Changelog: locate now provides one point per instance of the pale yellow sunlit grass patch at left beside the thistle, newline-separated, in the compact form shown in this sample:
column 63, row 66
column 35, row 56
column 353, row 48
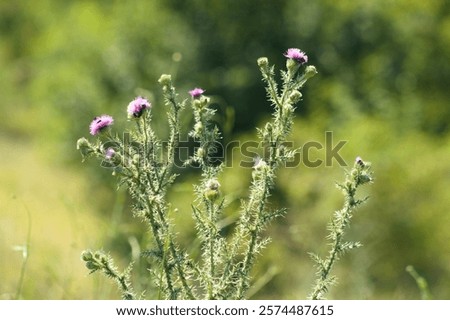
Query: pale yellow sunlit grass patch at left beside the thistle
column 61, row 223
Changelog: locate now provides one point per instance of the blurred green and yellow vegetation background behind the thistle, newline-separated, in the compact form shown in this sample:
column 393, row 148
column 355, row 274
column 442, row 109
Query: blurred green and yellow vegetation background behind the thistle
column 383, row 86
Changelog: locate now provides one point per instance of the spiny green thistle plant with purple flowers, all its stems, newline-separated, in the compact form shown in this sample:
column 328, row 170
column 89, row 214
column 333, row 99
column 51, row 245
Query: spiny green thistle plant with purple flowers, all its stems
column 145, row 166
